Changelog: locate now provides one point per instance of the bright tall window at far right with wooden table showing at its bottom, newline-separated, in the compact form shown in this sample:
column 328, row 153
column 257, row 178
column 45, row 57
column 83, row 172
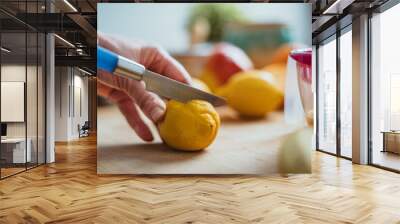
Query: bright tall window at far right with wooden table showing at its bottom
column 385, row 89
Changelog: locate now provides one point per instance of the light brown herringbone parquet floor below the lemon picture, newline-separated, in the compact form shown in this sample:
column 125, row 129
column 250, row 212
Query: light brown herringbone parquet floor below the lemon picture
column 69, row 191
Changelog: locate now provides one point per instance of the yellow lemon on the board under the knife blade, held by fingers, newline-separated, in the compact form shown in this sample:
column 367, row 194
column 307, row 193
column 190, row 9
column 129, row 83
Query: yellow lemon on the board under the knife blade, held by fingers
column 189, row 126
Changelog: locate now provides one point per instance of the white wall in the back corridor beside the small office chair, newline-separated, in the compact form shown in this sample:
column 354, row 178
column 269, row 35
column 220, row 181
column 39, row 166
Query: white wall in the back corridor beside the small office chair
column 69, row 81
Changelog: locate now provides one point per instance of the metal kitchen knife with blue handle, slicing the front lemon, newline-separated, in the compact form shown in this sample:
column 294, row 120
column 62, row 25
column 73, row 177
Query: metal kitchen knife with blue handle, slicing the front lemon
column 159, row 84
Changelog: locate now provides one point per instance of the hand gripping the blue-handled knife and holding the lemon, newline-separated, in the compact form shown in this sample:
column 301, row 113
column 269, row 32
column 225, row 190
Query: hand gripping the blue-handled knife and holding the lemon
column 130, row 95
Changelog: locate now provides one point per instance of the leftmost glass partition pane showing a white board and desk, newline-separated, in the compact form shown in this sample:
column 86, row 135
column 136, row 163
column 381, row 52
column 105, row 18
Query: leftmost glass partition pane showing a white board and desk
column 14, row 151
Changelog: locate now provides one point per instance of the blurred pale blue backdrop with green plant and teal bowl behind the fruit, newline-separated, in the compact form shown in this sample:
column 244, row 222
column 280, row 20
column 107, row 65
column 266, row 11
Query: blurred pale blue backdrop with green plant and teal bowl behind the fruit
column 190, row 30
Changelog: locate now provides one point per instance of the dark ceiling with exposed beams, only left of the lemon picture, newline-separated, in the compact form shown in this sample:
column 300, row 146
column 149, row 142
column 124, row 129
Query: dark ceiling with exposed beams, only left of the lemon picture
column 74, row 21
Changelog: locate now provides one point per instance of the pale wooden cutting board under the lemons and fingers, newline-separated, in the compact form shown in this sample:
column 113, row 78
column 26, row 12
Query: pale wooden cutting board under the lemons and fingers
column 241, row 147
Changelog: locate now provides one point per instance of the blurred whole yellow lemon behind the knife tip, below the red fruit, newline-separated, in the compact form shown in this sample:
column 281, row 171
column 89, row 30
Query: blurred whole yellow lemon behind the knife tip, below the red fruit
column 252, row 93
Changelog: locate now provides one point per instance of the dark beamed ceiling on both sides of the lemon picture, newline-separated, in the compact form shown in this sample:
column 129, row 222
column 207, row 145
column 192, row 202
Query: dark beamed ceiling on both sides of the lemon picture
column 76, row 21
